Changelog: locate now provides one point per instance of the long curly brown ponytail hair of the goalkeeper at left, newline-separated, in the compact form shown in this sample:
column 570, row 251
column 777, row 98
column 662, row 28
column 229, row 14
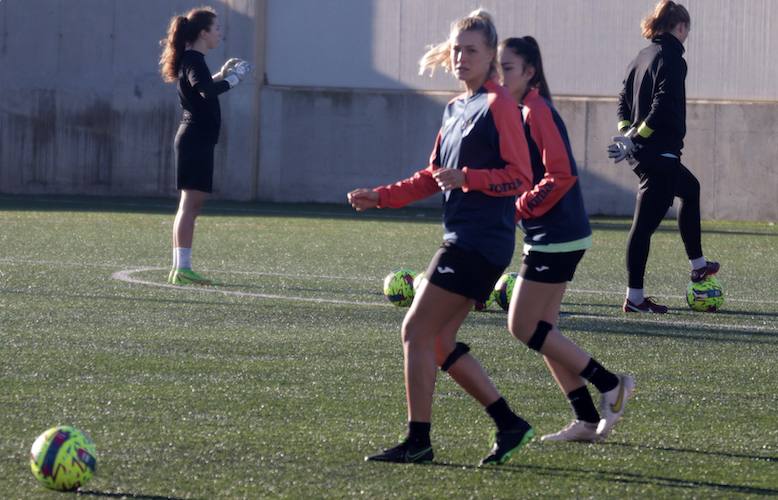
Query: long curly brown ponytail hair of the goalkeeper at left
column 182, row 30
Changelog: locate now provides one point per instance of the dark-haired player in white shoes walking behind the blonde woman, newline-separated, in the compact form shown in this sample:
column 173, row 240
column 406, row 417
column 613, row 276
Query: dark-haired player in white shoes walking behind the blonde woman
column 557, row 234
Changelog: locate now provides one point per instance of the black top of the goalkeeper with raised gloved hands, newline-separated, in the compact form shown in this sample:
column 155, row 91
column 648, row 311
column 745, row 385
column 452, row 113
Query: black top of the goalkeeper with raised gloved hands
column 199, row 95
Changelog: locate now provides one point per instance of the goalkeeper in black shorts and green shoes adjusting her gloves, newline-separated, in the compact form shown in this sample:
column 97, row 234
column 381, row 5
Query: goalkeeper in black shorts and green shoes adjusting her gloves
column 189, row 38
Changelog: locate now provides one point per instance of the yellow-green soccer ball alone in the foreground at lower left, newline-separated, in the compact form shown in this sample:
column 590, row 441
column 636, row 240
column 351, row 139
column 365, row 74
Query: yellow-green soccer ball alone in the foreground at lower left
column 63, row 458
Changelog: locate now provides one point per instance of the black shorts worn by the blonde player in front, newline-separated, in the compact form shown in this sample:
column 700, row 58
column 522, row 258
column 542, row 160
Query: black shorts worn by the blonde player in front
column 462, row 272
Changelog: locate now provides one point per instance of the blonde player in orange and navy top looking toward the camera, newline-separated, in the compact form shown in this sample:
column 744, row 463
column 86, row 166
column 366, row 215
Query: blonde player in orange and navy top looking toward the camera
column 480, row 162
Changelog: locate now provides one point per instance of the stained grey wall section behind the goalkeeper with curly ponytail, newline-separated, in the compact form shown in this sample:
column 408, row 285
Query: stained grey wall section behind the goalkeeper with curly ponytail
column 84, row 110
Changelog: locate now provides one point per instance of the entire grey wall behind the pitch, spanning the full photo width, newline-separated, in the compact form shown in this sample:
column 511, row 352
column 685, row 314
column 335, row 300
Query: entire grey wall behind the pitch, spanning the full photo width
column 336, row 102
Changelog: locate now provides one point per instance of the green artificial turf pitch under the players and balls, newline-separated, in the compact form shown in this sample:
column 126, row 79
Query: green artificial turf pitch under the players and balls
column 277, row 382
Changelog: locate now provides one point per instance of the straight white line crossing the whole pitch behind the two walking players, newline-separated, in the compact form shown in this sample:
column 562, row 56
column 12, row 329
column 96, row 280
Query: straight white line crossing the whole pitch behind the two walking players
column 330, row 277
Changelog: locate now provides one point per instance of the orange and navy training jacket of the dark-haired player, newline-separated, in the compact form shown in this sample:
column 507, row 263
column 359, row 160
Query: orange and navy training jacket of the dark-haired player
column 551, row 213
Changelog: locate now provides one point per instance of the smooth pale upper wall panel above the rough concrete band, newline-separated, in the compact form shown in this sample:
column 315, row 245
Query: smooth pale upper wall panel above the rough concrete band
column 376, row 44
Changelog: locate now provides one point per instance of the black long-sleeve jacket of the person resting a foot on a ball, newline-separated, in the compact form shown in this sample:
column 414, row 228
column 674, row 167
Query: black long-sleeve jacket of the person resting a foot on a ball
column 653, row 98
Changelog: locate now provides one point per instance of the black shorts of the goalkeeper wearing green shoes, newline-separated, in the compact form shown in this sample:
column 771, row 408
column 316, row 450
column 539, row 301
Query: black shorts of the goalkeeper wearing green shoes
column 194, row 159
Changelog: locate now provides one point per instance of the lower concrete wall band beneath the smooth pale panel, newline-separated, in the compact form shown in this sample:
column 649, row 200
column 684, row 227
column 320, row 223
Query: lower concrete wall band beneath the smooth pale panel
column 318, row 144
